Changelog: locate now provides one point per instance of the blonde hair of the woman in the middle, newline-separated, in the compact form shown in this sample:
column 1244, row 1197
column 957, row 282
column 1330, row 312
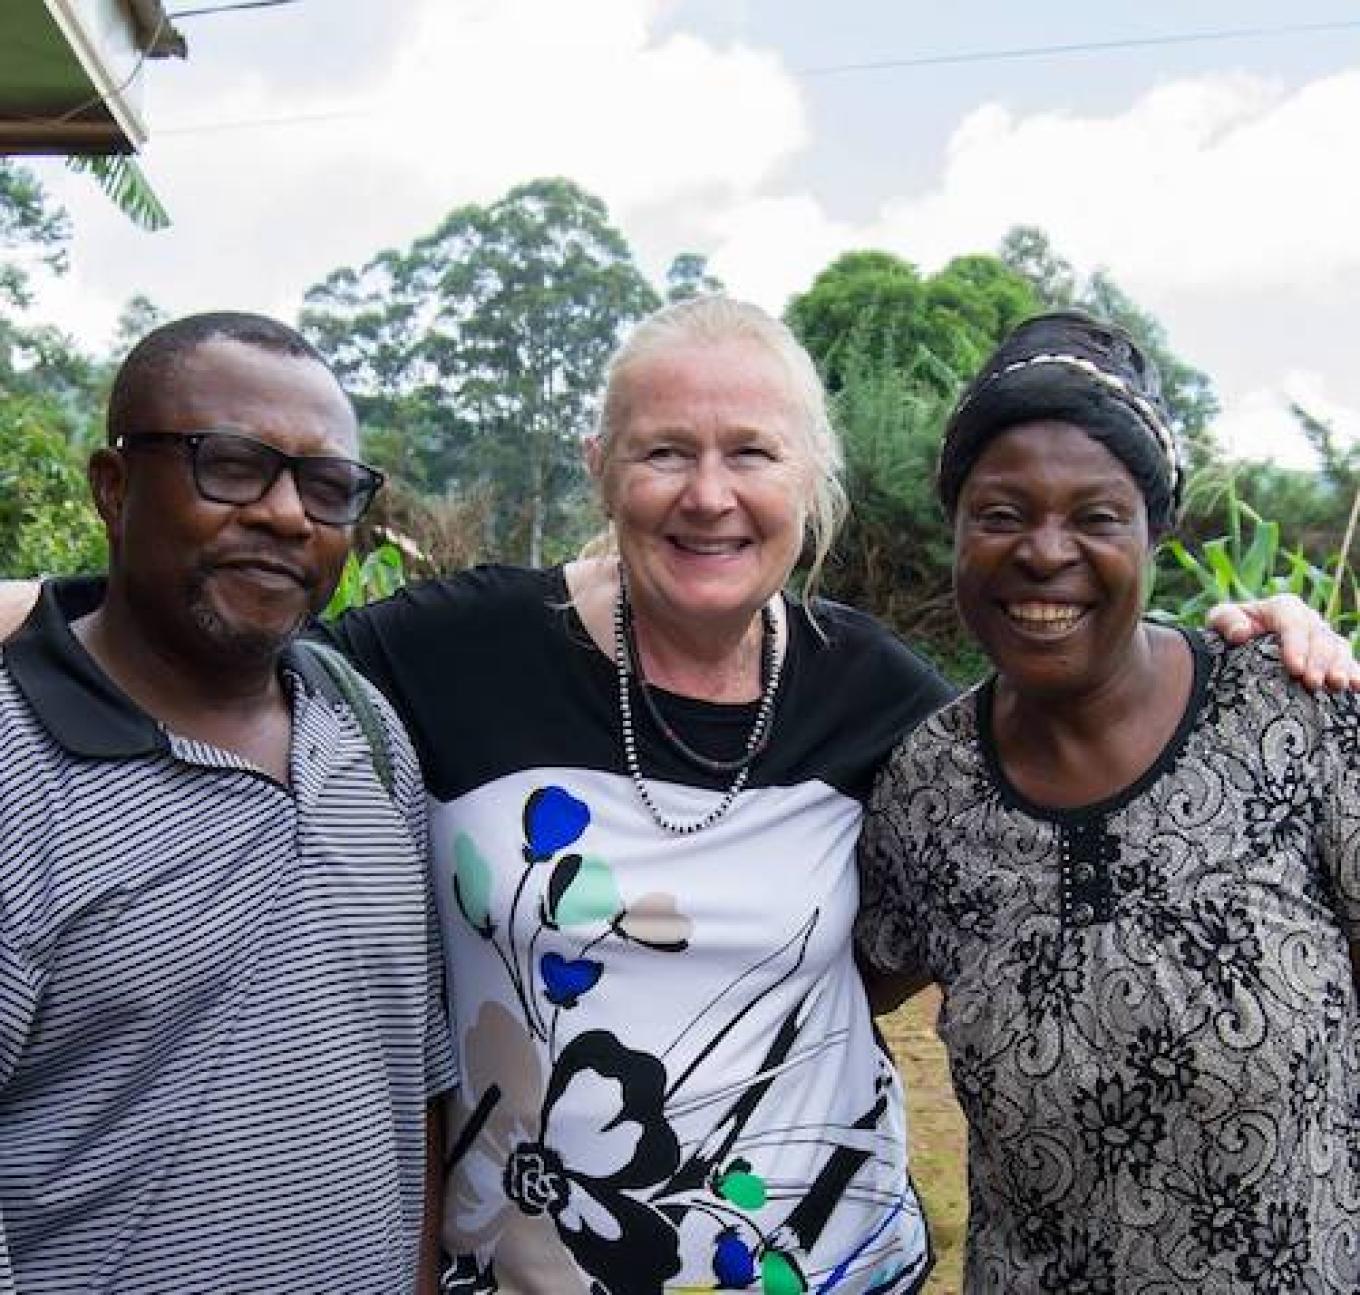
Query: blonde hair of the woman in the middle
column 713, row 322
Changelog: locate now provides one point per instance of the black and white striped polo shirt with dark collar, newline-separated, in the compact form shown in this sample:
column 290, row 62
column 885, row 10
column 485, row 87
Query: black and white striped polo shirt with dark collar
column 221, row 1014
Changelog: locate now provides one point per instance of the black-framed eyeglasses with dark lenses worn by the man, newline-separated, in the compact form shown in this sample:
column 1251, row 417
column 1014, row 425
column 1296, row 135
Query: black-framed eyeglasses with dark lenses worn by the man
column 231, row 467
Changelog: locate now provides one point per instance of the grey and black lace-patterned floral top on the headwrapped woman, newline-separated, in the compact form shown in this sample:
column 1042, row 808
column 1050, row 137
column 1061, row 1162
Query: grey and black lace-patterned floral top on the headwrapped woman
column 1149, row 1003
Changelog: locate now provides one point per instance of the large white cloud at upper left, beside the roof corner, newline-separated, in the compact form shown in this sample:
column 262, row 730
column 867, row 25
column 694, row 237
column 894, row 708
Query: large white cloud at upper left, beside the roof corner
column 479, row 96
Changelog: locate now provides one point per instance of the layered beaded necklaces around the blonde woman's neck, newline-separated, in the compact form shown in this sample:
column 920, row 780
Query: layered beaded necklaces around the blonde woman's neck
column 629, row 663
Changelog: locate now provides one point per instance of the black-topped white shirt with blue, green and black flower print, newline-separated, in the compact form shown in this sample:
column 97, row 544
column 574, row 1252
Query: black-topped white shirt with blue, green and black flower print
column 670, row 1079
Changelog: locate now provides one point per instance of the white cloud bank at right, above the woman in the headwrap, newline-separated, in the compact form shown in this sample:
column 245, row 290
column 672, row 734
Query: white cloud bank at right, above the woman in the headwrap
column 1225, row 205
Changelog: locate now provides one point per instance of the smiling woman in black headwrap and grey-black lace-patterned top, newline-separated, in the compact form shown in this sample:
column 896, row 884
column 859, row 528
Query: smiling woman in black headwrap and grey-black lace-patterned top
column 1132, row 862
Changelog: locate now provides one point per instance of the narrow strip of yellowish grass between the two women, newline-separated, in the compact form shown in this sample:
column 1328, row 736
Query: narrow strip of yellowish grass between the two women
column 938, row 1135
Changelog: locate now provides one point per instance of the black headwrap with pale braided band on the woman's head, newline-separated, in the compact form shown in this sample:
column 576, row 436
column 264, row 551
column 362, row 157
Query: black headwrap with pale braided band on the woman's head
column 1067, row 367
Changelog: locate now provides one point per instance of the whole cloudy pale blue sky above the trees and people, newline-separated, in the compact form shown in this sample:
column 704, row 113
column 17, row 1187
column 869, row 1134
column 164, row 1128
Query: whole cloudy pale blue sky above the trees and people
column 1218, row 180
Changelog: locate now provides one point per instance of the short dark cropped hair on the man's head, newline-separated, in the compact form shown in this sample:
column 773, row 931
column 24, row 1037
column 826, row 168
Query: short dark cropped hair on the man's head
column 156, row 357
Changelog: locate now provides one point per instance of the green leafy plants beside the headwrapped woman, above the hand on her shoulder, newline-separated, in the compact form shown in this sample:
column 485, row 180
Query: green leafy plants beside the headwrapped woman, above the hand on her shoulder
column 1251, row 561
